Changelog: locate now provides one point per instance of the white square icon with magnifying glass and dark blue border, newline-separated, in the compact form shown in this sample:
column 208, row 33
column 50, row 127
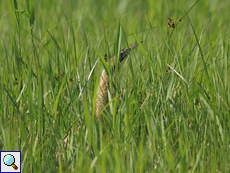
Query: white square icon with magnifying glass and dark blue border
column 10, row 161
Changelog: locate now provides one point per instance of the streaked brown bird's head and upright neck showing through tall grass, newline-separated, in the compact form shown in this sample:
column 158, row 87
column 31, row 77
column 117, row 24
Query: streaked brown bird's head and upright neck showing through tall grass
column 102, row 94
